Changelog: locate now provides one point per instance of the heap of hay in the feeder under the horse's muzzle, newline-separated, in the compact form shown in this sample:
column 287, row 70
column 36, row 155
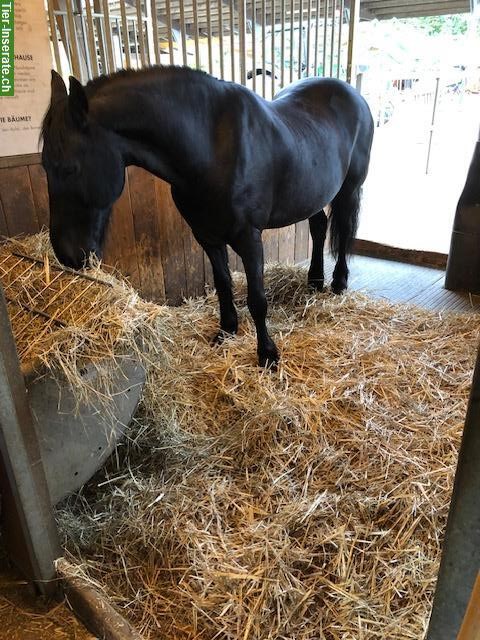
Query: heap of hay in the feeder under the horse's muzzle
column 63, row 320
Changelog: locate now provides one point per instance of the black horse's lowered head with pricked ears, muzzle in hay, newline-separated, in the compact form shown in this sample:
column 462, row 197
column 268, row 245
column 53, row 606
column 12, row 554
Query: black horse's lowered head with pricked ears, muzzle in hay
column 85, row 172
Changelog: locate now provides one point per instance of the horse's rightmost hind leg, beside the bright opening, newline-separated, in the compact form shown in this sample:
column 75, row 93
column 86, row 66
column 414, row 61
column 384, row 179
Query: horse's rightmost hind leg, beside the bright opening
column 344, row 221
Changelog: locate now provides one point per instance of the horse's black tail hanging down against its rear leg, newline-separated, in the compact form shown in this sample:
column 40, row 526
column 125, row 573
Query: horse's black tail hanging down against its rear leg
column 344, row 215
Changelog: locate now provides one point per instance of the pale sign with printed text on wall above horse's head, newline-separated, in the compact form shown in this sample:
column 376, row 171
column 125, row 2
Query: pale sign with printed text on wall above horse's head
column 21, row 115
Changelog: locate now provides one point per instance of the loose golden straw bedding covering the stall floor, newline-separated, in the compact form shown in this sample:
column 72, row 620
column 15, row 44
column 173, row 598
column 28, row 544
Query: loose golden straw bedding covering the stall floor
column 304, row 504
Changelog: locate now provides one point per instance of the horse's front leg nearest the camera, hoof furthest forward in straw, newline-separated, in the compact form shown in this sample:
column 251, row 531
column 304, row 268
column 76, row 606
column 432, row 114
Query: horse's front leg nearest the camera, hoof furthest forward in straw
column 249, row 247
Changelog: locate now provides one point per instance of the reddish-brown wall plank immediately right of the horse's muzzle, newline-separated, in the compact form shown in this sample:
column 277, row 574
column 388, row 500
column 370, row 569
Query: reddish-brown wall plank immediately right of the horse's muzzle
column 120, row 248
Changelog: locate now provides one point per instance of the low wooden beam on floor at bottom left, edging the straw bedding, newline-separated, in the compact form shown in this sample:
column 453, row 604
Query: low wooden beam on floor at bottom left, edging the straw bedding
column 93, row 608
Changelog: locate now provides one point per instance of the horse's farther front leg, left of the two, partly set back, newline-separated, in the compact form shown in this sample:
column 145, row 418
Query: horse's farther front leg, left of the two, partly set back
column 223, row 284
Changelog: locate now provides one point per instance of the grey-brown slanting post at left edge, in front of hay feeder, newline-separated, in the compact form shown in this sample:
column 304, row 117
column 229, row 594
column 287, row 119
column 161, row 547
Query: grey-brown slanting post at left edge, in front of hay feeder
column 29, row 527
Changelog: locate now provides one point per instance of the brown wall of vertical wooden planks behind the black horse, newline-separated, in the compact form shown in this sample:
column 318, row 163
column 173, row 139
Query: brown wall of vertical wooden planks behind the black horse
column 148, row 240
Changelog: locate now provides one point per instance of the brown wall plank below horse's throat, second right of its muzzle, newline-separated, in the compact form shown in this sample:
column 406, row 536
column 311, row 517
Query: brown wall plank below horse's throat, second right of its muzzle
column 147, row 225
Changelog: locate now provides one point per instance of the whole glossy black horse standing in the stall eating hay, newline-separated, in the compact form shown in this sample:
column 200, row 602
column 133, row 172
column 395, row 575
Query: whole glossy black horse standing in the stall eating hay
column 236, row 163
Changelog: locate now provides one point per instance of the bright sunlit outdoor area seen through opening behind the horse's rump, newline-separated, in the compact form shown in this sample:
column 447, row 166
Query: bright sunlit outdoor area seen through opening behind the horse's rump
column 415, row 71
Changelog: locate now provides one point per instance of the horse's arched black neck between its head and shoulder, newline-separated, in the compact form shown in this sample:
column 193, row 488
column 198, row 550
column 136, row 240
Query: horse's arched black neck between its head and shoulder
column 163, row 124
